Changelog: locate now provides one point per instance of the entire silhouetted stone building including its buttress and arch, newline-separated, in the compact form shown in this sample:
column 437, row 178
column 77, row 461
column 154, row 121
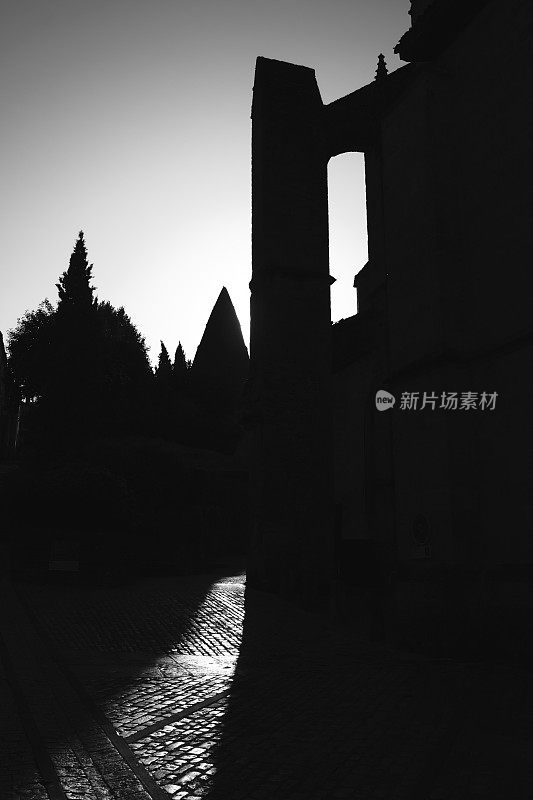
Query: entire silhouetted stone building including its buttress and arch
column 429, row 507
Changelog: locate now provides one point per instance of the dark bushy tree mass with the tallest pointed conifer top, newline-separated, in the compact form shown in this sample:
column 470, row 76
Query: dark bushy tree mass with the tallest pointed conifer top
column 83, row 362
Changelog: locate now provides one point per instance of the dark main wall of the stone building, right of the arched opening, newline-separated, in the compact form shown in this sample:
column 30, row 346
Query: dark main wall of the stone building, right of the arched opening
column 457, row 167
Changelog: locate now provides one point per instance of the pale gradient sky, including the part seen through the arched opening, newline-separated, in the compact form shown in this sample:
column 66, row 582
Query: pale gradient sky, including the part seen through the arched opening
column 130, row 119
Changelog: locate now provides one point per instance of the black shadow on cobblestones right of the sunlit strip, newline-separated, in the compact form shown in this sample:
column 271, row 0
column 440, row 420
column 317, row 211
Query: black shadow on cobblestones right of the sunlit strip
column 313, row 714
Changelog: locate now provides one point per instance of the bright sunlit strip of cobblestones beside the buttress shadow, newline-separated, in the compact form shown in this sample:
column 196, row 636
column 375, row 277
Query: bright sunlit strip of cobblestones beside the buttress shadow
column 179, row 750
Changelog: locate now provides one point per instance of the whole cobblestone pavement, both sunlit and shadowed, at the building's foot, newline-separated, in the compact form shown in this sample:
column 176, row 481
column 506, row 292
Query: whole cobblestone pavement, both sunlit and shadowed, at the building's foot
column 167, row 689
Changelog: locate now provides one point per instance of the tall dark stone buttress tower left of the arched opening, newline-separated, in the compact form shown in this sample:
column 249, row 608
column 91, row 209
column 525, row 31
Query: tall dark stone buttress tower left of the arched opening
column 290, row 337
